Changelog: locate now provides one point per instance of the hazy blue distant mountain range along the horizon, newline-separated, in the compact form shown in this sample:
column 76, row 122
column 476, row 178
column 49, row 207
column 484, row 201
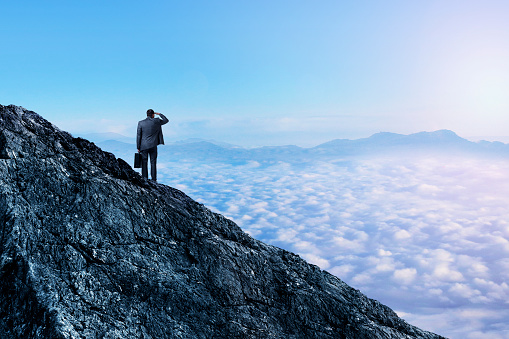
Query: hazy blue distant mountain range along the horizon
column 441, row 141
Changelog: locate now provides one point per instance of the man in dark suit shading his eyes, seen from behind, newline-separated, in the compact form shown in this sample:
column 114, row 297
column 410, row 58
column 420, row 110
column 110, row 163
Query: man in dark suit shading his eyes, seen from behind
column 150, row 134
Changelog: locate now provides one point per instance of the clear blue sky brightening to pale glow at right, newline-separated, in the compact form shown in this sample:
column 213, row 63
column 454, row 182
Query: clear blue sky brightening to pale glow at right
column 260, row 72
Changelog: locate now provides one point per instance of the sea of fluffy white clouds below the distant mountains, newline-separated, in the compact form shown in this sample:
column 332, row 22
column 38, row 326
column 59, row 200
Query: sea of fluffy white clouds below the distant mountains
column 426, row 235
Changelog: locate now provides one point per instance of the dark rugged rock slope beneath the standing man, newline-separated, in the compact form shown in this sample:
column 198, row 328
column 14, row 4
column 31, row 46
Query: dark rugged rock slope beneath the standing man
column 90, row 249
